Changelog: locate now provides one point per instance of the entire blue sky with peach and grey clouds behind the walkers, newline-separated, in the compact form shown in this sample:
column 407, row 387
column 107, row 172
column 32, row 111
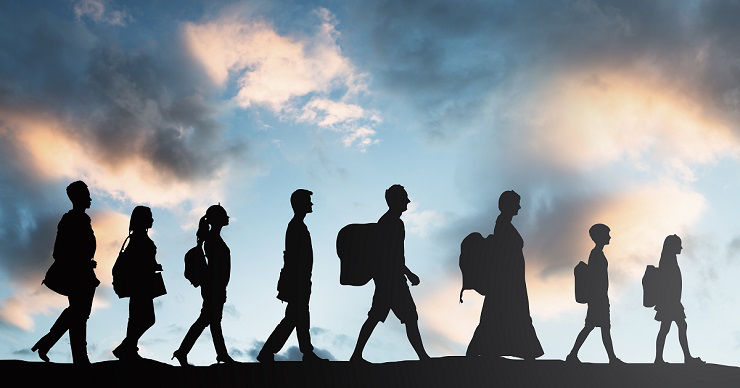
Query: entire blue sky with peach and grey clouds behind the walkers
column 624, row 113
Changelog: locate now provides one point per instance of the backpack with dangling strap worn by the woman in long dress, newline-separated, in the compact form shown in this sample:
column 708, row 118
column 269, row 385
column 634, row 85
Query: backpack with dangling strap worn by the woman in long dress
column 475, row 262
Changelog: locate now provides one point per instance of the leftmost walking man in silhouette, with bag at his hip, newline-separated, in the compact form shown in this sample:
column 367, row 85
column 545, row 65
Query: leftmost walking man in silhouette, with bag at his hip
column 72, row 274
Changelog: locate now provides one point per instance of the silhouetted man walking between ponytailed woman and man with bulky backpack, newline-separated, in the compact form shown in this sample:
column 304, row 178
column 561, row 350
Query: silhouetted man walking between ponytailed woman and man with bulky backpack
column 294, row 284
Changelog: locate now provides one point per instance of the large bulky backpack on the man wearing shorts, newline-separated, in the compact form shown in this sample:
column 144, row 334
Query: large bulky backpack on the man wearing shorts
column 357, row 248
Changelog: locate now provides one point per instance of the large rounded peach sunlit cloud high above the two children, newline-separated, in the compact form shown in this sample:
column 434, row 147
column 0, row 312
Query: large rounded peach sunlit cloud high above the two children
column 592, row 119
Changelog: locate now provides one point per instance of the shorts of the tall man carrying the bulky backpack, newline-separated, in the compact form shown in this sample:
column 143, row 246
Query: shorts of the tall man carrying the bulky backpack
column 395, row 296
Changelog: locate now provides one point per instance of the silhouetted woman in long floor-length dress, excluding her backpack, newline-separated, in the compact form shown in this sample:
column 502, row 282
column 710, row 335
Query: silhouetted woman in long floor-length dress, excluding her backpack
column 505, row 327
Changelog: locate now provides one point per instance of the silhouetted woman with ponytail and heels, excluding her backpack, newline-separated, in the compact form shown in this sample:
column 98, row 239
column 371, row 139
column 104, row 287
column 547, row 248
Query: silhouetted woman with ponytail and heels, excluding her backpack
column 213, row 289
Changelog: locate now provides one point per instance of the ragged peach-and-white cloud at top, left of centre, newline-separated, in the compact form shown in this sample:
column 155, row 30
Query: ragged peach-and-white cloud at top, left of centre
column 303, row 78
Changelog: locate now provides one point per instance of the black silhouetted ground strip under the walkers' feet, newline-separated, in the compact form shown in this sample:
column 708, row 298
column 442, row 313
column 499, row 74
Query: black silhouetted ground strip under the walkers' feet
column 440, row 372
